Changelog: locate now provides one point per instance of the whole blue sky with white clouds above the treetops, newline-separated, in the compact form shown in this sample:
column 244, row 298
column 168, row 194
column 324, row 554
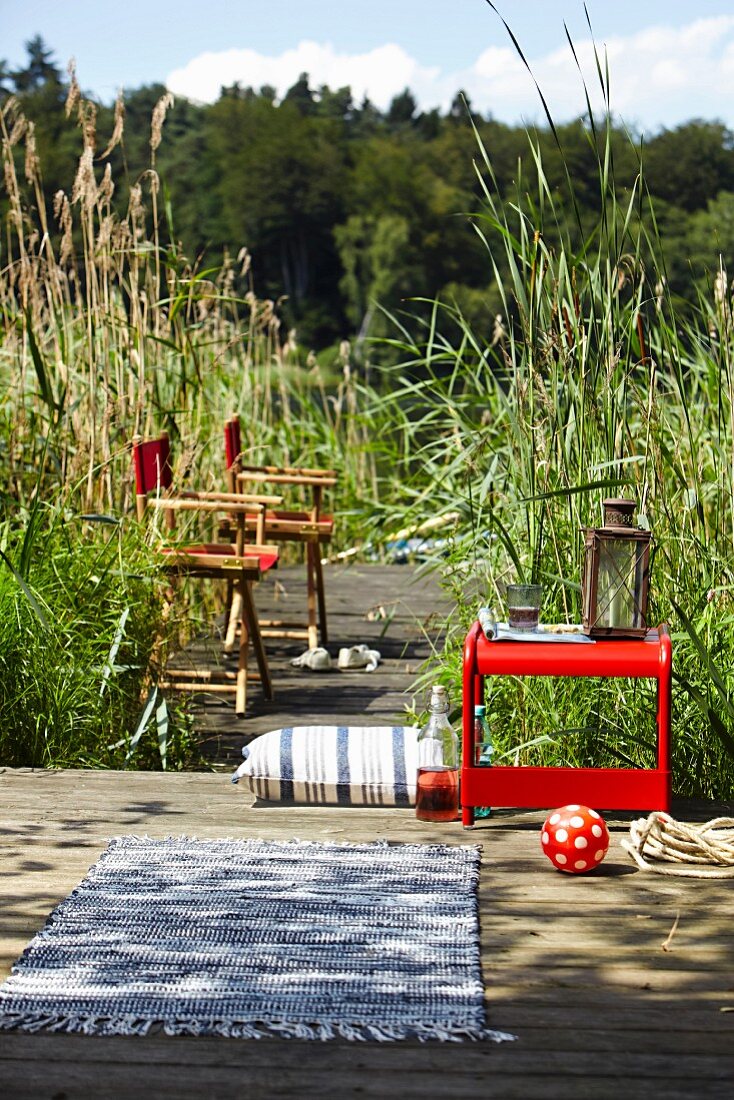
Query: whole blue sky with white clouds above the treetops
column 670, row 61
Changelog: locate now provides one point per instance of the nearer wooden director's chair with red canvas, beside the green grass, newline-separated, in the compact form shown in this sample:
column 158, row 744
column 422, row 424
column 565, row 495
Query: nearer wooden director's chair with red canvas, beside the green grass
column 239, row 564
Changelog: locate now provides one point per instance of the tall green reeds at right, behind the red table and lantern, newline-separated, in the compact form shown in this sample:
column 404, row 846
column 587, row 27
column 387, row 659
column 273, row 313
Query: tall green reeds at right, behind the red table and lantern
column 589, row 387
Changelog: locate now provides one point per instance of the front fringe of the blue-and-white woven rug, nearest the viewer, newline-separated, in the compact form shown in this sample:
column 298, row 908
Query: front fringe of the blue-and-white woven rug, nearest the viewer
column 249, row 1030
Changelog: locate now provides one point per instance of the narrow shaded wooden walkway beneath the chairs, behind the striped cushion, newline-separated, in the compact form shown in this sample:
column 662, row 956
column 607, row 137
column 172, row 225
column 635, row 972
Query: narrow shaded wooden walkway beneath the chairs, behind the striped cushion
column 395, row 609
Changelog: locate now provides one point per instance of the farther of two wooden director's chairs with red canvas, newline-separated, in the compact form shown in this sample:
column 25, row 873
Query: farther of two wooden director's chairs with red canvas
column 311, row 529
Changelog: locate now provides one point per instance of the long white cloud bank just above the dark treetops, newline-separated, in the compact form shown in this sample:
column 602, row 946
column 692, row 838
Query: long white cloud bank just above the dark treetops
column 661, row 75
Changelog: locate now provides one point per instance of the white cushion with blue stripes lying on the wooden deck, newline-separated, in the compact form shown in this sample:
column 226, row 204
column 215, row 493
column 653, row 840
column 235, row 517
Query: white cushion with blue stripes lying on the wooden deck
column 368, row 766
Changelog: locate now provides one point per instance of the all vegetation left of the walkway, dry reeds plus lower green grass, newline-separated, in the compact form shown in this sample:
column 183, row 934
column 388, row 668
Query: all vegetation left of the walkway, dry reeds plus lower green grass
column 107, row 332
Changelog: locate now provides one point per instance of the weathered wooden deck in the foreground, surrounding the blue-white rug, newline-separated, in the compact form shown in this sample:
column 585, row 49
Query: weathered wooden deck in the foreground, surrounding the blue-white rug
column 576, row 967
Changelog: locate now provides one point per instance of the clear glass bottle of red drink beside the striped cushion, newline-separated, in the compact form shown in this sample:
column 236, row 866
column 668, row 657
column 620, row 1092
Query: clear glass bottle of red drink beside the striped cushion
column 437, row 794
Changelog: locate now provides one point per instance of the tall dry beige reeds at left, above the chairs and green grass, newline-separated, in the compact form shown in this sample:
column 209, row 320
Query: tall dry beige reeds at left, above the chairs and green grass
column 111, row 332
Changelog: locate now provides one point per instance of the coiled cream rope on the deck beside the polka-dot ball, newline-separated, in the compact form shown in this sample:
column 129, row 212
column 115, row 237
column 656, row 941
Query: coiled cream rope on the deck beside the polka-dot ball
column 703, row 852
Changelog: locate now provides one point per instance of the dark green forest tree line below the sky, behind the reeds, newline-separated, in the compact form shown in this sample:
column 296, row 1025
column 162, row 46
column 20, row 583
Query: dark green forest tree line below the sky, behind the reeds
column 348, row 211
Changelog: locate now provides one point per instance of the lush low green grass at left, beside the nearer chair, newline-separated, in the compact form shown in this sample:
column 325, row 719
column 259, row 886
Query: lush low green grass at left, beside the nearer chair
column 81, row 611
